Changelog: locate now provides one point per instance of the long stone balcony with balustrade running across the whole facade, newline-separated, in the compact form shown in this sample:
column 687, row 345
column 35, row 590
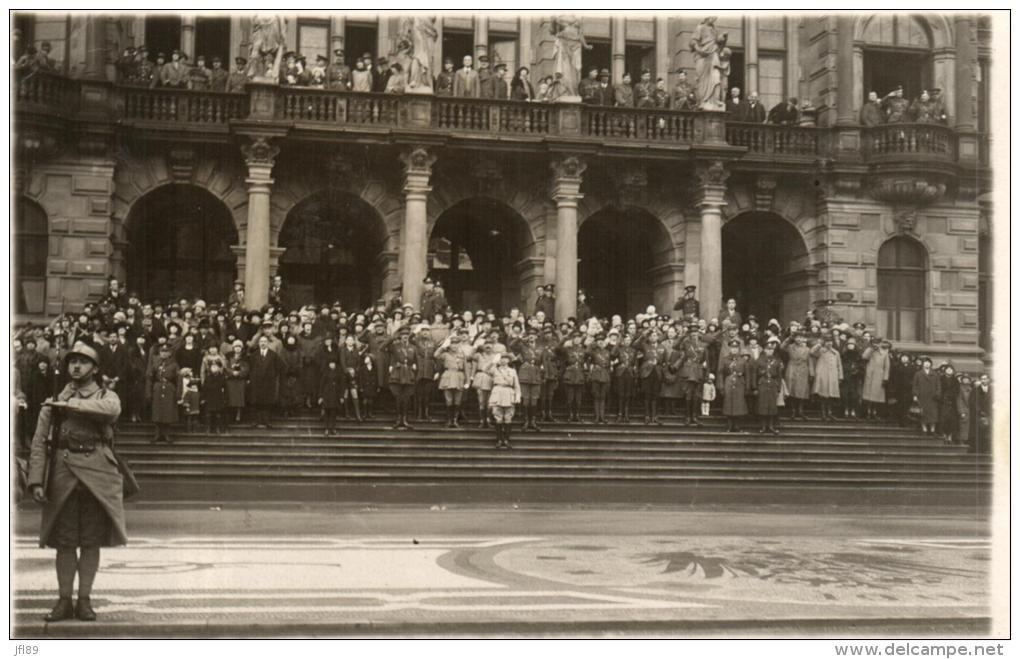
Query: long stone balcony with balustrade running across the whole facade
column 302, row 115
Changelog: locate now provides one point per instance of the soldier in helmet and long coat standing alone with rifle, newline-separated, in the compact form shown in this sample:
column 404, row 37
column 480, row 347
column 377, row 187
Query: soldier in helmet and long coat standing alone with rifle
column 78, row 481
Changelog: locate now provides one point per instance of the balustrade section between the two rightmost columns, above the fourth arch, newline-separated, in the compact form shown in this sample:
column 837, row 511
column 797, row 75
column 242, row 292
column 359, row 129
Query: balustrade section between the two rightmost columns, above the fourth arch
column 644, row 125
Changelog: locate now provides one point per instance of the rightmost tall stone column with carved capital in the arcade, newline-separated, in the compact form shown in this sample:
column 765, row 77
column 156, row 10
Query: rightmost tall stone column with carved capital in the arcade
column 711, row 198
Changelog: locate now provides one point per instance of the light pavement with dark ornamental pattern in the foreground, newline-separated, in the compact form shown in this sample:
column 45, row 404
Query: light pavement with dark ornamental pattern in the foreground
column 328, row 586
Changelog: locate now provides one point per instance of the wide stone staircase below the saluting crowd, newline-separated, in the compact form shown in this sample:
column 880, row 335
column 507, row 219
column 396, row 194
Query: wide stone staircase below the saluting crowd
column 808, row 463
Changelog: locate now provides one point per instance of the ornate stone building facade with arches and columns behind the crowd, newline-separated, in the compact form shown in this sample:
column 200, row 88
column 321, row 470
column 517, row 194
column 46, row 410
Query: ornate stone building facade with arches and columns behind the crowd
column 347, row 195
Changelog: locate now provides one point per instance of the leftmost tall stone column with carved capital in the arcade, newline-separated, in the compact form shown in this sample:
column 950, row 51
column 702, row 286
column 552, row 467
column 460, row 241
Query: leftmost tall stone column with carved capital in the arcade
column 260, row 156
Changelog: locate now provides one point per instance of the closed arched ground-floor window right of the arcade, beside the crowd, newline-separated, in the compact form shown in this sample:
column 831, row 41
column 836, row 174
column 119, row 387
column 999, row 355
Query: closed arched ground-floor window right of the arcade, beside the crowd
column 902, row 269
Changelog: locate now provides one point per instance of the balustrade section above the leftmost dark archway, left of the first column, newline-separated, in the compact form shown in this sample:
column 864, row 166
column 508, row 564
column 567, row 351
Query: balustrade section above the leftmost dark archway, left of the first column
column 183, row 107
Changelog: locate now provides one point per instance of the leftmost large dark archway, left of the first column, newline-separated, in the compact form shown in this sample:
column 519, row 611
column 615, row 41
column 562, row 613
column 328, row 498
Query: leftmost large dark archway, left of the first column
column 180, row 238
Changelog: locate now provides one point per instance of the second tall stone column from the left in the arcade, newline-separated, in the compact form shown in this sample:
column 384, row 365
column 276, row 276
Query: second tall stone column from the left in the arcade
column 415, row 236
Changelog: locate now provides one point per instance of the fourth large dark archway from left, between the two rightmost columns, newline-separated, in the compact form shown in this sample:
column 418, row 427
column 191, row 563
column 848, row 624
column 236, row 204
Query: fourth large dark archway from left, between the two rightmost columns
column 619, row 251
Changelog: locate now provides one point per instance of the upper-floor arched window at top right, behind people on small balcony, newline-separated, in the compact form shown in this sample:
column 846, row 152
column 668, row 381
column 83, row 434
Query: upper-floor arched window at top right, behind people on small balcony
column 897, row 52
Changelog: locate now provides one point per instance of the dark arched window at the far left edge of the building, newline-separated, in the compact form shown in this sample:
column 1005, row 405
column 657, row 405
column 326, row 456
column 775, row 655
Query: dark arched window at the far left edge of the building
column 31, row 249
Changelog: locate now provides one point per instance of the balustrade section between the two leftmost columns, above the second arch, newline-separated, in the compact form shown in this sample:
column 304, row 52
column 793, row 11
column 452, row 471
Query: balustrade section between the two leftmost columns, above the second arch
column 338, row 108
